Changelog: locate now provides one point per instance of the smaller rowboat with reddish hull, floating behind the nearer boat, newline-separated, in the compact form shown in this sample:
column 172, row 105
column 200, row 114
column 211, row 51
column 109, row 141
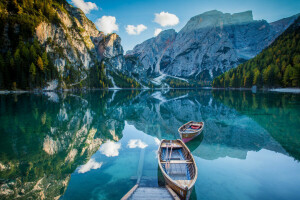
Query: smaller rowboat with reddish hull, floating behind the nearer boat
column 190, row 130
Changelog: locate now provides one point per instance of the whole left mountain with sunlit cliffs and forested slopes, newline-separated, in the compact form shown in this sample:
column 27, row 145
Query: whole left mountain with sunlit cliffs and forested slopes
column 51, row 44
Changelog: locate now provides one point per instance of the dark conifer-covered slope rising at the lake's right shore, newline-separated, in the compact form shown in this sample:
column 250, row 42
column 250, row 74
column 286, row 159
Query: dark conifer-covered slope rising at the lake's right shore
column 276, row 66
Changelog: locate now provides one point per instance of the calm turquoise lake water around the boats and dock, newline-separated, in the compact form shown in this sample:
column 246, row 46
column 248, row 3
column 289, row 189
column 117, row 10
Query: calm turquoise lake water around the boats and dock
column 89, row 145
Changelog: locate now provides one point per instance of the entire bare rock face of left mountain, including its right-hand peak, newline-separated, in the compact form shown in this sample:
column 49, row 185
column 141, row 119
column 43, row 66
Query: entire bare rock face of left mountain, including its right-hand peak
column 77, row 42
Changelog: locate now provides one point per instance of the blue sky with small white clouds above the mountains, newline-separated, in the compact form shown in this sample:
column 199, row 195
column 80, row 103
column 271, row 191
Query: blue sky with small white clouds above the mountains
column 138, row 20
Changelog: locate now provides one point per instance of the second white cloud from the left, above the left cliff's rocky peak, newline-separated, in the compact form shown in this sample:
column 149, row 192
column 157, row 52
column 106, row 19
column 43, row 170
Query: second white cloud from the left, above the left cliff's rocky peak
column 107, row 24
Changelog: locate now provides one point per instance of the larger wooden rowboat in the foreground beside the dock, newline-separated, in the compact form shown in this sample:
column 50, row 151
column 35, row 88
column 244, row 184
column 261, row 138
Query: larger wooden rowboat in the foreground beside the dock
column 178, row 167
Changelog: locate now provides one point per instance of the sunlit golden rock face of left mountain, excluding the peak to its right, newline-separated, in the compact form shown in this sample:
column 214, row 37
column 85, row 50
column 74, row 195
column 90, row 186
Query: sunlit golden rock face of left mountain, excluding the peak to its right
column 73, row 43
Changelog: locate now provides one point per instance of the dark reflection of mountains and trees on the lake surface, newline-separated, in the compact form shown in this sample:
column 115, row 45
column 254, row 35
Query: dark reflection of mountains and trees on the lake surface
column 44, row 138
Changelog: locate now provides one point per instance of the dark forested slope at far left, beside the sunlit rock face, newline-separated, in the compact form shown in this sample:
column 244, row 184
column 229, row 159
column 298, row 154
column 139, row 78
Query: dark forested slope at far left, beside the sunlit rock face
column 24, row 63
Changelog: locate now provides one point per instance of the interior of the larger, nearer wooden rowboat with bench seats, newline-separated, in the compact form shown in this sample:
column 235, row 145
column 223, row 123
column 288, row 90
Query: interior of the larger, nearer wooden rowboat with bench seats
column 176, row 161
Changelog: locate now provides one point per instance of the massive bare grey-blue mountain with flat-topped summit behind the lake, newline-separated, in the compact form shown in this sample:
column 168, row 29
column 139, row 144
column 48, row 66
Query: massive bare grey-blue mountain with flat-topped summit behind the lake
column 208, row 45
